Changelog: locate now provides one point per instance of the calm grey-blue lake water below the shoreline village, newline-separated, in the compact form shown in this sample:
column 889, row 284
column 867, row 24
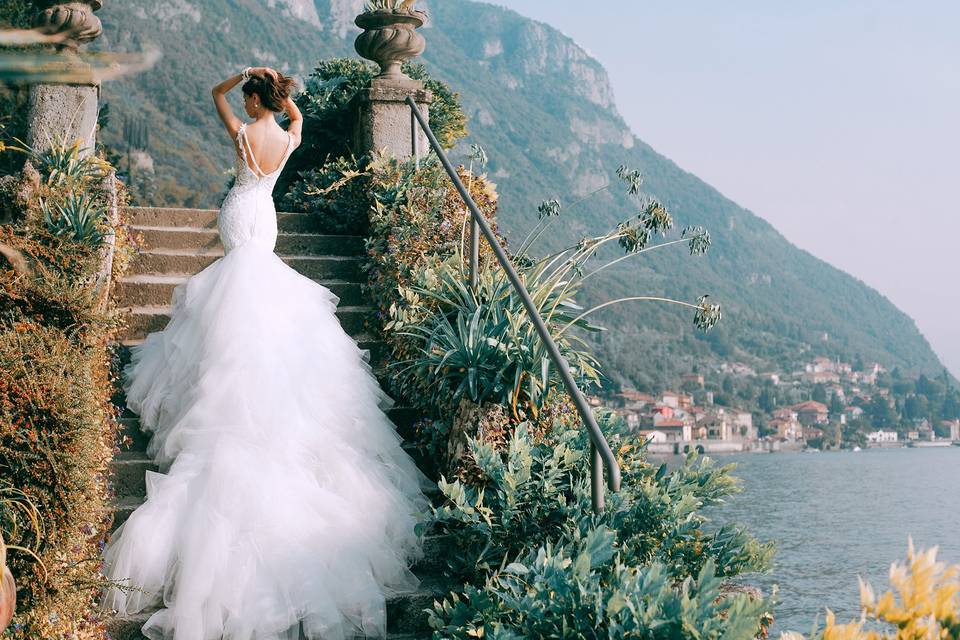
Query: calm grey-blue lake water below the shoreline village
column 838, row 515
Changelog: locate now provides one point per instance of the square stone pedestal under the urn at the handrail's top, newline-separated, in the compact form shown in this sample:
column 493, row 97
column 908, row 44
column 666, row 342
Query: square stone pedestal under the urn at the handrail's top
column 384, row 120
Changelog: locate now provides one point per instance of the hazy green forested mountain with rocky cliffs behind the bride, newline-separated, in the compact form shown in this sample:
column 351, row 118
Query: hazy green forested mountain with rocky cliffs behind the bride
column 544, row 111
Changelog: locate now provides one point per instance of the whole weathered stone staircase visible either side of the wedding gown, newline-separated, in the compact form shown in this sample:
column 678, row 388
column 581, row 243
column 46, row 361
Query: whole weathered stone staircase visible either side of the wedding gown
column 180, row 242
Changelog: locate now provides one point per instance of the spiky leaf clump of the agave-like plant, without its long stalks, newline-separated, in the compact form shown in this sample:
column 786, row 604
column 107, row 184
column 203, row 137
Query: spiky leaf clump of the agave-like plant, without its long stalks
column 478, row 343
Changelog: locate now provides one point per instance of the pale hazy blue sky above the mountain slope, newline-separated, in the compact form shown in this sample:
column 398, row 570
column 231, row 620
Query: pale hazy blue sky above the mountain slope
column 837, row 121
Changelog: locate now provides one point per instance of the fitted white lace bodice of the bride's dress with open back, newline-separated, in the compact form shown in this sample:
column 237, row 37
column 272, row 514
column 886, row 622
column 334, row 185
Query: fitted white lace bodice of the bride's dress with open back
column 248, row 213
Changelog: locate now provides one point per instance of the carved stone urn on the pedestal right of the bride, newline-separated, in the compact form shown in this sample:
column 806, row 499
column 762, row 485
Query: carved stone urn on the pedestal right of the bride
column 390, row 38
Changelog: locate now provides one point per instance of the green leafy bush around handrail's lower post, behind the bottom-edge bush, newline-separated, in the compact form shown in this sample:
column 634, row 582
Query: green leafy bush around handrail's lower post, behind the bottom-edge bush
column 538, row 492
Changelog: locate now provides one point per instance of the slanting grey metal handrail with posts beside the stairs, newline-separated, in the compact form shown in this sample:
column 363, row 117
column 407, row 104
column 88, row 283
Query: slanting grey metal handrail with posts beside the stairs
column 601, row 455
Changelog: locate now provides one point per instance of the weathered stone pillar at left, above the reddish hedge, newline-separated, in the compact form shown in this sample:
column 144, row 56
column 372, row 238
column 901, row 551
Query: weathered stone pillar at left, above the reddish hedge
column 63, row 113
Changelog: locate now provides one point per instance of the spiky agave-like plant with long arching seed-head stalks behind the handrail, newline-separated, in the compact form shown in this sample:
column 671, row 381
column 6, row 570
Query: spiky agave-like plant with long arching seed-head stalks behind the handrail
column 477, row 342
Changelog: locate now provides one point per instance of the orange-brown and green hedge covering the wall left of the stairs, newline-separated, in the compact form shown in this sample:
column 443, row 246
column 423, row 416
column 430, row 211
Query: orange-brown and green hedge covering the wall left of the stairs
column 57, row 427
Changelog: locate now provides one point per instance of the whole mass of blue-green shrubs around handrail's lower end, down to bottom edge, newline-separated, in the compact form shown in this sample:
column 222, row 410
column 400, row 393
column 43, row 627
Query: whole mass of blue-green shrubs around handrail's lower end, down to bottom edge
column 547, row 563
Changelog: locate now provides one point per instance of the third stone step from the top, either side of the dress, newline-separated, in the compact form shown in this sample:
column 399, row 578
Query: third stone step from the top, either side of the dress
column 191, row 261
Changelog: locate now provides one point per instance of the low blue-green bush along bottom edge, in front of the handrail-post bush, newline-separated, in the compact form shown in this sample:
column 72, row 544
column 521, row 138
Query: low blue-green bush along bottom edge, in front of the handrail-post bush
column 584, row 591
